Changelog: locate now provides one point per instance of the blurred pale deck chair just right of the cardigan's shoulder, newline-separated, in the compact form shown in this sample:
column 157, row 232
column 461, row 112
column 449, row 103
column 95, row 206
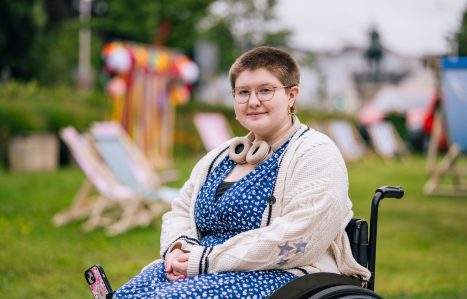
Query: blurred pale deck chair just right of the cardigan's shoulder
column 347, row 139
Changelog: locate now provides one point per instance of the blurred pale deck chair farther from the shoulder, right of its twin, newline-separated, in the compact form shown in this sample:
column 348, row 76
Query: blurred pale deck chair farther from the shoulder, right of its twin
column 386, row 141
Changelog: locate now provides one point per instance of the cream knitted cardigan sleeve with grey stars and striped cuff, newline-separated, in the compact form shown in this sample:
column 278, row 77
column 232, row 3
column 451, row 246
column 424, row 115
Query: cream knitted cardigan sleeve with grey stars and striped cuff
column 315, row 205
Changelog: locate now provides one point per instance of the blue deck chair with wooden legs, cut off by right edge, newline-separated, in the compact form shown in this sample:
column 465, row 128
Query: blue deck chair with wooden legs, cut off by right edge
column 453, row 77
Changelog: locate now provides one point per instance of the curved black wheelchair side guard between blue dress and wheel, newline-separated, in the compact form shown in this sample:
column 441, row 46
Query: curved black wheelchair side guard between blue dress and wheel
column 308, row 285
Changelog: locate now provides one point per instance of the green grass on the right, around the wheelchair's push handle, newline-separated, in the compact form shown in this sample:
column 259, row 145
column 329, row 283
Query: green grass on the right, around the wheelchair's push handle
column 421, row 240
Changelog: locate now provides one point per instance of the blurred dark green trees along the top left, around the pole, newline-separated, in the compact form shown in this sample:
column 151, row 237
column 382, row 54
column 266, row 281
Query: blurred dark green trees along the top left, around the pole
column 39, row 38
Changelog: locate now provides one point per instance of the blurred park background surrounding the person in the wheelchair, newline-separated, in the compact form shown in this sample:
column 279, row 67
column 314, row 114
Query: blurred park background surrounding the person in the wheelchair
column 376, row 78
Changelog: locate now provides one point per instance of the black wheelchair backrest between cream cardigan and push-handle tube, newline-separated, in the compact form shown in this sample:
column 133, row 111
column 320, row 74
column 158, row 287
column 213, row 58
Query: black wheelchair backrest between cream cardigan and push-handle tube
column 357, row 231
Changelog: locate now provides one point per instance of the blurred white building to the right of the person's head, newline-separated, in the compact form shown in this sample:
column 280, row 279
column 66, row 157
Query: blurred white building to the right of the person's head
column 350, row 83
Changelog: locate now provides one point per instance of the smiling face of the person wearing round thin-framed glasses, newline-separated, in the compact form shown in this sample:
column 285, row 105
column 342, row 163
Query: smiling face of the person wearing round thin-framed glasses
column 264, row 118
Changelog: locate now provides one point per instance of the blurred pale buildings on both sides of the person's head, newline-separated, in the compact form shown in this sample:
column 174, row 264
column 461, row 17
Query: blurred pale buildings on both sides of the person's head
column 335, row 81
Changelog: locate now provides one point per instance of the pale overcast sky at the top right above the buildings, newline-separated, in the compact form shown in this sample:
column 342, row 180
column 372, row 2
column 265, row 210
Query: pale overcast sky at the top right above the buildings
column 408, row 27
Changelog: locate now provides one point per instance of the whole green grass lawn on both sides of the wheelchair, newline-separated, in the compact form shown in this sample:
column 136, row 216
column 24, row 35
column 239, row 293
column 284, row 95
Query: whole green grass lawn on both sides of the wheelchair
column 422, row 241
